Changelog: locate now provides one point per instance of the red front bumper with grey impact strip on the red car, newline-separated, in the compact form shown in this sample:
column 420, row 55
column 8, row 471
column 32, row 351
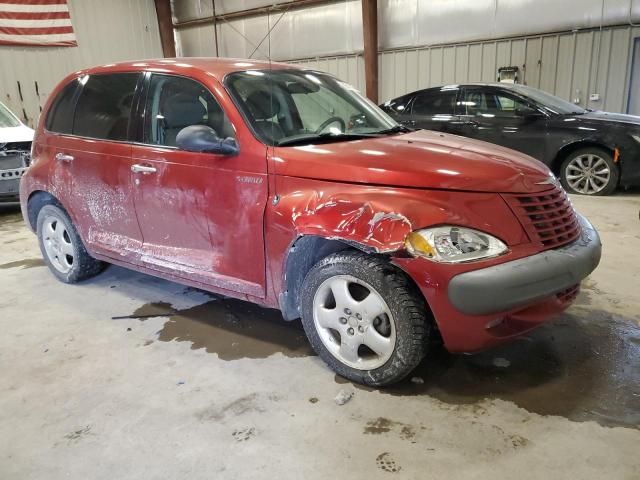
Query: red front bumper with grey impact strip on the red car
column 477, row 307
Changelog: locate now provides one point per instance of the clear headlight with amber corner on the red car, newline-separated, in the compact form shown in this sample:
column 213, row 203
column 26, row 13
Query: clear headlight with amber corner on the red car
column 451, row 244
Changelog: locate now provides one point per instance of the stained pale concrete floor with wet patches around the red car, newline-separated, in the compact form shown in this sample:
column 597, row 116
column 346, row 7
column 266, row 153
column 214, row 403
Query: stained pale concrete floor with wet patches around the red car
column 127, row 376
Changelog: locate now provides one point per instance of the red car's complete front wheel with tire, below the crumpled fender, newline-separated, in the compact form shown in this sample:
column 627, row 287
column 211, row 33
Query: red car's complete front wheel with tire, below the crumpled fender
column 337, row 332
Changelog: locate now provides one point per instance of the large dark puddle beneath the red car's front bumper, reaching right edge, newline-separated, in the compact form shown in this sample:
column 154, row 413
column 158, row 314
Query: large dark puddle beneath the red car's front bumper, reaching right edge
column 584, row 366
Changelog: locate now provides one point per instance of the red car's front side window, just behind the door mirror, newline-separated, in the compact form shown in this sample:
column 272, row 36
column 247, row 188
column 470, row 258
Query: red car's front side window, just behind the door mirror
column 174, row 103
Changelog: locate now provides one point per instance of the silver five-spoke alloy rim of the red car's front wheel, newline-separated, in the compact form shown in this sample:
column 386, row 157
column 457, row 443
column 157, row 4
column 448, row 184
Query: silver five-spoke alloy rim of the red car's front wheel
column 354, row 322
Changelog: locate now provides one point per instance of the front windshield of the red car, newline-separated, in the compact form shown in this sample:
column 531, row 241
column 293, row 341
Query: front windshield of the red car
column 287, row 107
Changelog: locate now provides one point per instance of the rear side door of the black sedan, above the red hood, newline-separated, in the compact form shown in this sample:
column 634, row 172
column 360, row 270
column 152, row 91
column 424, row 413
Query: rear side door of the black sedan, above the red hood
column 434, row 109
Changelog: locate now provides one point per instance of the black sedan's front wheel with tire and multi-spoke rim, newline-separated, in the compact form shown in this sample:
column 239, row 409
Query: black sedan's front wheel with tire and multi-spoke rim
column 579, row 172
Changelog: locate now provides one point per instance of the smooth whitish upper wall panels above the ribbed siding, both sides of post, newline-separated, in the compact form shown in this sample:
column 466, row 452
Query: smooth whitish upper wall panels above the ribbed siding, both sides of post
column 335, row 28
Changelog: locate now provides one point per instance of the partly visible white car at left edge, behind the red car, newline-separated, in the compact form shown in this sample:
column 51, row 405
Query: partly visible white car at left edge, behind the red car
column 15, row 153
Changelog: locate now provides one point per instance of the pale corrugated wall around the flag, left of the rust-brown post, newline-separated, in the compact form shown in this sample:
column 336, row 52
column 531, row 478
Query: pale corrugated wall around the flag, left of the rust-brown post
column 107, row 31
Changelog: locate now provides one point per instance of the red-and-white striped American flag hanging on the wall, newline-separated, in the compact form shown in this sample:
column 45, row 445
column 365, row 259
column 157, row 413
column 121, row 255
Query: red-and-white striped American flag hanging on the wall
column 36, row 22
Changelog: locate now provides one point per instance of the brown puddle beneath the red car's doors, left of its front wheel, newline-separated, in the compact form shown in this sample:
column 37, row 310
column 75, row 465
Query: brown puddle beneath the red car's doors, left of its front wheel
column 231, row 328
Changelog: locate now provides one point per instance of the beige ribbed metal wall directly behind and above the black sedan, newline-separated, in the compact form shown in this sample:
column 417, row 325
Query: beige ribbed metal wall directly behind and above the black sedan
column 571, row 65
